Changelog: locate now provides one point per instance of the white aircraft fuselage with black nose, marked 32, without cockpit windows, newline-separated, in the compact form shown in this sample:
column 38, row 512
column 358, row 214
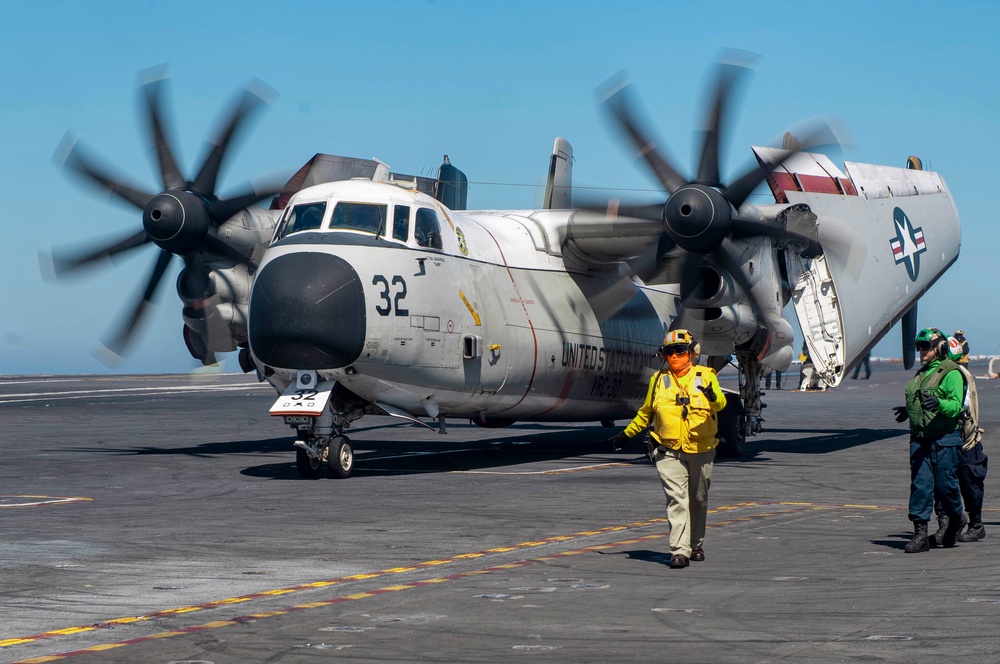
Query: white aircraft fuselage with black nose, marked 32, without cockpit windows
column 490, row 324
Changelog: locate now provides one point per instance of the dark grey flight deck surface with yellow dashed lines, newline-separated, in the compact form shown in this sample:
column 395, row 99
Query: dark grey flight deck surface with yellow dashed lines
column 162, row 519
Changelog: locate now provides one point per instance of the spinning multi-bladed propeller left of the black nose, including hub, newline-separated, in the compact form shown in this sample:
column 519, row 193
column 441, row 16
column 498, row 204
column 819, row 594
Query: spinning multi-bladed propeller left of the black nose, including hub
column 180, row 220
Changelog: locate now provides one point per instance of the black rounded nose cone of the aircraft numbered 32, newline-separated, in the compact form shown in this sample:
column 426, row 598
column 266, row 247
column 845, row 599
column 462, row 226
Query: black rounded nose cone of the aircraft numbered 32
column 307, row 311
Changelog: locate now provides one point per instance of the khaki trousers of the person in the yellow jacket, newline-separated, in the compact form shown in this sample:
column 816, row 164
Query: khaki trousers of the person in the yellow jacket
column 686, row 478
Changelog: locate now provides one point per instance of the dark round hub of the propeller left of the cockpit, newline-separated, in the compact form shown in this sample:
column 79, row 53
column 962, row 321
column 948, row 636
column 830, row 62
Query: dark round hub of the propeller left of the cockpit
column 176, row 221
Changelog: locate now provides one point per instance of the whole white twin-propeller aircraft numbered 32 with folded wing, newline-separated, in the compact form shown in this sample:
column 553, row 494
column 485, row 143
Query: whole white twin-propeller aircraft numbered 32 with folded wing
column 381, row 294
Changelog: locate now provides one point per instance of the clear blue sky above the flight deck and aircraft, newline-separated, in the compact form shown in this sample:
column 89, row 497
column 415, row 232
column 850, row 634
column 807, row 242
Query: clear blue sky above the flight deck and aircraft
column 489, row 83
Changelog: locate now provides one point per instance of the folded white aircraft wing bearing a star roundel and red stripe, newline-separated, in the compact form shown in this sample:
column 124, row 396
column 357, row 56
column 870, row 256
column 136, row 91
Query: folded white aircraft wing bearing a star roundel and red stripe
column 887, row 233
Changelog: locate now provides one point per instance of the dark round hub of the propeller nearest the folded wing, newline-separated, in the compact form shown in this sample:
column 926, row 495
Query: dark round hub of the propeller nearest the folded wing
column 697, row 218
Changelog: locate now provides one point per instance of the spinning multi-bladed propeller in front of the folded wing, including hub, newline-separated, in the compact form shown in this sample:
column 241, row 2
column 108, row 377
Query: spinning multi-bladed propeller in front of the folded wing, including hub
column 702, row 215
